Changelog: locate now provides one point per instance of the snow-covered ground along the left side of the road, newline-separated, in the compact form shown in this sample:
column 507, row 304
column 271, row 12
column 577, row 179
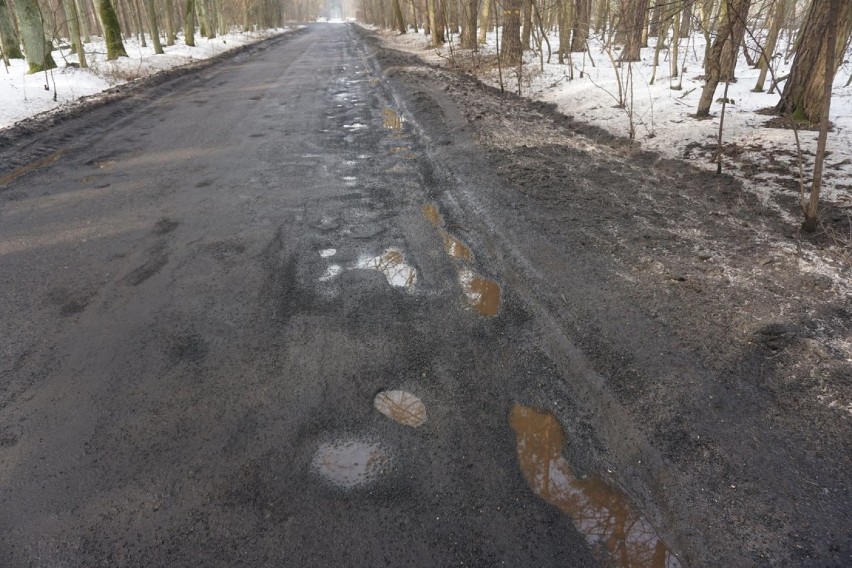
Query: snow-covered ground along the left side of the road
column 25, row 95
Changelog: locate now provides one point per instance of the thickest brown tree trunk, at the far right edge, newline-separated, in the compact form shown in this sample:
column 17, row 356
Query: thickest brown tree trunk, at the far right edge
column 804, row 92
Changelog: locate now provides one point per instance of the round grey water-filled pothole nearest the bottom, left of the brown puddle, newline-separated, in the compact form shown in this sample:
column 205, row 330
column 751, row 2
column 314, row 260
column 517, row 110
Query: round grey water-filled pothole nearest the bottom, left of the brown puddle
column 350, row 463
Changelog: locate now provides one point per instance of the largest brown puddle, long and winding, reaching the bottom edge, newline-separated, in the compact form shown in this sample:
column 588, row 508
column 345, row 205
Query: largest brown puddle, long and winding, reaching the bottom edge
column 600, row 511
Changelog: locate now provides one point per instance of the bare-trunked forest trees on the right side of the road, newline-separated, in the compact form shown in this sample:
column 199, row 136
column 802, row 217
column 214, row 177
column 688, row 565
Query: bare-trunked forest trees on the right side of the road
column 814, row 35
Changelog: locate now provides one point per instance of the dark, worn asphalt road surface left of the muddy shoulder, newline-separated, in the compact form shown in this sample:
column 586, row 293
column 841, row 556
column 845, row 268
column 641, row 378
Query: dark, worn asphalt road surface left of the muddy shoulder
column 204, row 288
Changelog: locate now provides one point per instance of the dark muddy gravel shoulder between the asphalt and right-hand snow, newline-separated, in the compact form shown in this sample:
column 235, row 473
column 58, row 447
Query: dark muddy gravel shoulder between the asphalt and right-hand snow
column 705, row 342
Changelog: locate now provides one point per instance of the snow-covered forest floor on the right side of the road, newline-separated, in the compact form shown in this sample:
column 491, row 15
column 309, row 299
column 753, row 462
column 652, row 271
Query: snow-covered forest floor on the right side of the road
column 661, row 115
